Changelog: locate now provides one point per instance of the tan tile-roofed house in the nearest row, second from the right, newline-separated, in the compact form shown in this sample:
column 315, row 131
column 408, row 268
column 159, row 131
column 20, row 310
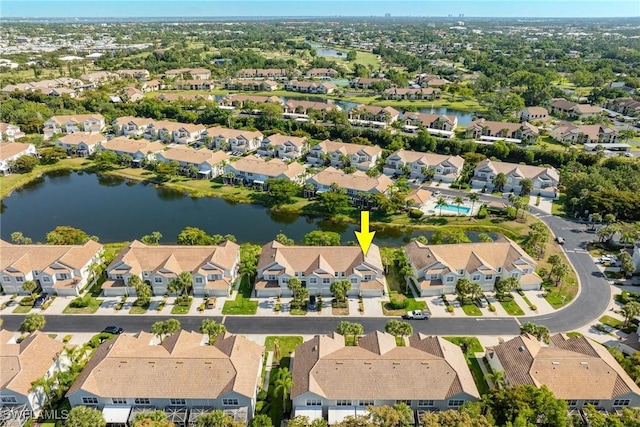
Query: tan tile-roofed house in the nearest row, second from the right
column 338, row 380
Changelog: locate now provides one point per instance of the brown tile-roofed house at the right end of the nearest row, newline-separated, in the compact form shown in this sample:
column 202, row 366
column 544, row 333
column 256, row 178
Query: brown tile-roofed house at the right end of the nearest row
column 576, row 369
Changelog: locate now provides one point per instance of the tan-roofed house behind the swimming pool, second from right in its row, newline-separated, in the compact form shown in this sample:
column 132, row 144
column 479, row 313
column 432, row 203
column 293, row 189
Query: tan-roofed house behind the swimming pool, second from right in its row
column 447, row 168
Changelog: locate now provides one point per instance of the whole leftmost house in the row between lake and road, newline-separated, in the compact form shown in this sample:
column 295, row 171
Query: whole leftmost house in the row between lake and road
column 57, row 269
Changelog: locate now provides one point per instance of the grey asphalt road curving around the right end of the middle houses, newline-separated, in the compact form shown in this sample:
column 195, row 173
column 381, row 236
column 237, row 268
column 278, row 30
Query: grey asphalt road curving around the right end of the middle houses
column 591, row 302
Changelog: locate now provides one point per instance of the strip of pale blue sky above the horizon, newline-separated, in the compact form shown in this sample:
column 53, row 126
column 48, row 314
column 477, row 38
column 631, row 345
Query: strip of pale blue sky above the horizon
column 222, row 8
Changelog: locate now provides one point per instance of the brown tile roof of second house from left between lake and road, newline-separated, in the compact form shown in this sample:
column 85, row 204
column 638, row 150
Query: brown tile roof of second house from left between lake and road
column 174, row 258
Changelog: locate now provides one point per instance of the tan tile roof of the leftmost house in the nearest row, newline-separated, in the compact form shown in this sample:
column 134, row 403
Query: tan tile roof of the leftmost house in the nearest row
column 21, row 364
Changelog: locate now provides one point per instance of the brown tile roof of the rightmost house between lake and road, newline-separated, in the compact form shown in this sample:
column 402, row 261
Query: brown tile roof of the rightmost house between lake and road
column 469, row 256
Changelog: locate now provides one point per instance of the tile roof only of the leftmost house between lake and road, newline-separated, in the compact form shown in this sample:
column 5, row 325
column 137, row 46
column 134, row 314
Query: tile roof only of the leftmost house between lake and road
column 26, row 258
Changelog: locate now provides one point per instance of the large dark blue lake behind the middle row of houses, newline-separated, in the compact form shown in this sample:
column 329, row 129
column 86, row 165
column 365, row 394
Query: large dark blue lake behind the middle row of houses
column 118, row 210
